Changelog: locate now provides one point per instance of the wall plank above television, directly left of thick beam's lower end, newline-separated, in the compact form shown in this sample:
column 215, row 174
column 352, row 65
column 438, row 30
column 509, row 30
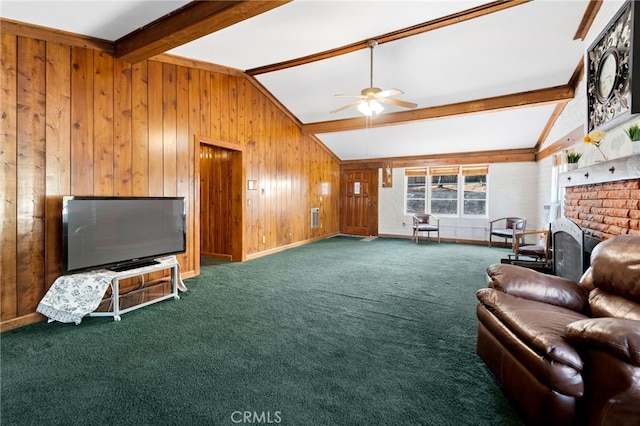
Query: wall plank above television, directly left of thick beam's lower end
column 103, row 96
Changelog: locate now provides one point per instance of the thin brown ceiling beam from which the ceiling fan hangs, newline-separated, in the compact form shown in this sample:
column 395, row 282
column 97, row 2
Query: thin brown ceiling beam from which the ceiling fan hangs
column 434, row 24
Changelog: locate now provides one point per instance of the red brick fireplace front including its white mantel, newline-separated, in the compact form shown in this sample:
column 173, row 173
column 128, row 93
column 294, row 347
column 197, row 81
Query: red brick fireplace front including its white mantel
column 604, row 199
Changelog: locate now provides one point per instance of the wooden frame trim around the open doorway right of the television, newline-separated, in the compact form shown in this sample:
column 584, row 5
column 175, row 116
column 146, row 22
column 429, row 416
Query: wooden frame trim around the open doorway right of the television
column 238, row 195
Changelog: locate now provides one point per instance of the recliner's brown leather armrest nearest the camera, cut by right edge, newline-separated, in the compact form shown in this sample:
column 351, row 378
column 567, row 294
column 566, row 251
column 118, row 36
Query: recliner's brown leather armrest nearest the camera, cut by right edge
column 617, row 336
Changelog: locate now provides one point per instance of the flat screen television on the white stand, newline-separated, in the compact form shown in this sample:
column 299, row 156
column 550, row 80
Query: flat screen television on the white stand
column 120, row 233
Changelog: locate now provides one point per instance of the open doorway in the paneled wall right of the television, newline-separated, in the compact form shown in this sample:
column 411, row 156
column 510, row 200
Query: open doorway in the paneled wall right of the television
column 220, row 195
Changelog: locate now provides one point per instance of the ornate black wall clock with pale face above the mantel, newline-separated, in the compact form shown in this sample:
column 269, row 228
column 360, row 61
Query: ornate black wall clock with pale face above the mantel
column 612, row 92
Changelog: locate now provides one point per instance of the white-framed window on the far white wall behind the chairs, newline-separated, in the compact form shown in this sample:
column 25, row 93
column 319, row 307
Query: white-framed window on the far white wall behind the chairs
column 451, row 190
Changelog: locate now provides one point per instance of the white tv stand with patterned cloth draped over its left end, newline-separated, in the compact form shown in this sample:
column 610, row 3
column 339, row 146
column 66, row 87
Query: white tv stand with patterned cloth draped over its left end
column 71, row 297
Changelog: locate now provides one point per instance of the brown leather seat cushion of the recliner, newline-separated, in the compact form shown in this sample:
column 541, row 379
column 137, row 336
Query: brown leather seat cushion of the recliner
column 539, row 325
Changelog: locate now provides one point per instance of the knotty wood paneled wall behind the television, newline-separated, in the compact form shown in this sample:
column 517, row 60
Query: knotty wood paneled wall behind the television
column 76, row 121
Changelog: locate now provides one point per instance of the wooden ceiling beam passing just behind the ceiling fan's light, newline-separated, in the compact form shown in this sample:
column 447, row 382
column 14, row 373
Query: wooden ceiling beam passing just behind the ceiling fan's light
column 516, row 100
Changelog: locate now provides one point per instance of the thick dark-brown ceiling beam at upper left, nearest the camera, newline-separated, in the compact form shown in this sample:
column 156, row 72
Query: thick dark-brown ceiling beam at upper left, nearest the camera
column 190, row 22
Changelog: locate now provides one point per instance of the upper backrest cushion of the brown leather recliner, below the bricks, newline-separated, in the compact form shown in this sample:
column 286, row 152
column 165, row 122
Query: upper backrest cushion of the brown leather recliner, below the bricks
column 615, row 265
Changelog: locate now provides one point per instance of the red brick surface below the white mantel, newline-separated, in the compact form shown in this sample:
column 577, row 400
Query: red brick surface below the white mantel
column 605, row 209
